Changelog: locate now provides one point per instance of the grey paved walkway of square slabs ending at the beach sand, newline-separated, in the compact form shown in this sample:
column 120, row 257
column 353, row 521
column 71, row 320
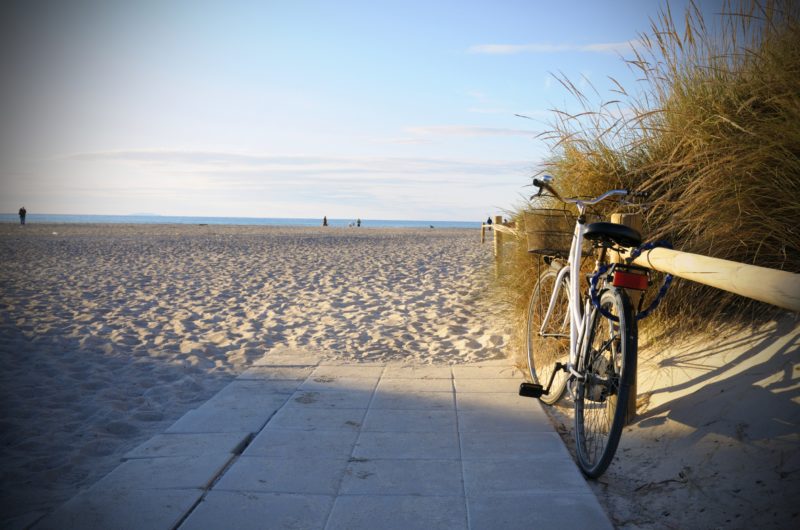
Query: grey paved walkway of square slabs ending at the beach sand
column 302, row 442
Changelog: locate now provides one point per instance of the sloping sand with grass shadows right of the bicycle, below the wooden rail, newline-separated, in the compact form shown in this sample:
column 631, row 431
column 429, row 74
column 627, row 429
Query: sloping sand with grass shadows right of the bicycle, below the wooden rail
column 716, row 439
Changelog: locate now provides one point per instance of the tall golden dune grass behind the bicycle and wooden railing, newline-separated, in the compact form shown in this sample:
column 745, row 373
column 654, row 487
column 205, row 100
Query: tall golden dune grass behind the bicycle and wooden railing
column 713, row 132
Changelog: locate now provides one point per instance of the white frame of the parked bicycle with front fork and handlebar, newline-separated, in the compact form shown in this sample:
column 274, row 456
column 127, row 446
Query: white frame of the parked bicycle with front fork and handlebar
column 579, row 321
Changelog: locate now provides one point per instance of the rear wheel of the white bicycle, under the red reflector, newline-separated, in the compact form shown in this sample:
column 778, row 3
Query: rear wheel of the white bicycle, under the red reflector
column 601, row 398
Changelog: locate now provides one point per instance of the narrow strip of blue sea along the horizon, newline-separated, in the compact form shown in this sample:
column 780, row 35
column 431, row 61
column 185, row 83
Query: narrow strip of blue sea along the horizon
column 32, row 218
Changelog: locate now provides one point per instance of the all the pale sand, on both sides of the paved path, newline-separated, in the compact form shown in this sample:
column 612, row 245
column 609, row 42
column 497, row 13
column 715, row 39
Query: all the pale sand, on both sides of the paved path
column 110, row 333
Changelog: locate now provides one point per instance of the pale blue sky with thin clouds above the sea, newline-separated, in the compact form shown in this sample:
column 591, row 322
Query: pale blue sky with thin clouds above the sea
column 295, row 108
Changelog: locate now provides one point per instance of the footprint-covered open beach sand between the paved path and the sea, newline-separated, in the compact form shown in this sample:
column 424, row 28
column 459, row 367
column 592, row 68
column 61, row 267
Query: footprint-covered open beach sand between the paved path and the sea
column 110, row 333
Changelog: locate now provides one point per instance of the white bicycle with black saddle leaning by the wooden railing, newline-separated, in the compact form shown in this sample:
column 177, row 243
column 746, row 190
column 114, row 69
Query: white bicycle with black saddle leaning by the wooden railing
column 587, row 343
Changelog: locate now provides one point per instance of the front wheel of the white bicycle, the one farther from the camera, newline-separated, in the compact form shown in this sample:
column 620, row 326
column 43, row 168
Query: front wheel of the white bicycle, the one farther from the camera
column 546, row 347
